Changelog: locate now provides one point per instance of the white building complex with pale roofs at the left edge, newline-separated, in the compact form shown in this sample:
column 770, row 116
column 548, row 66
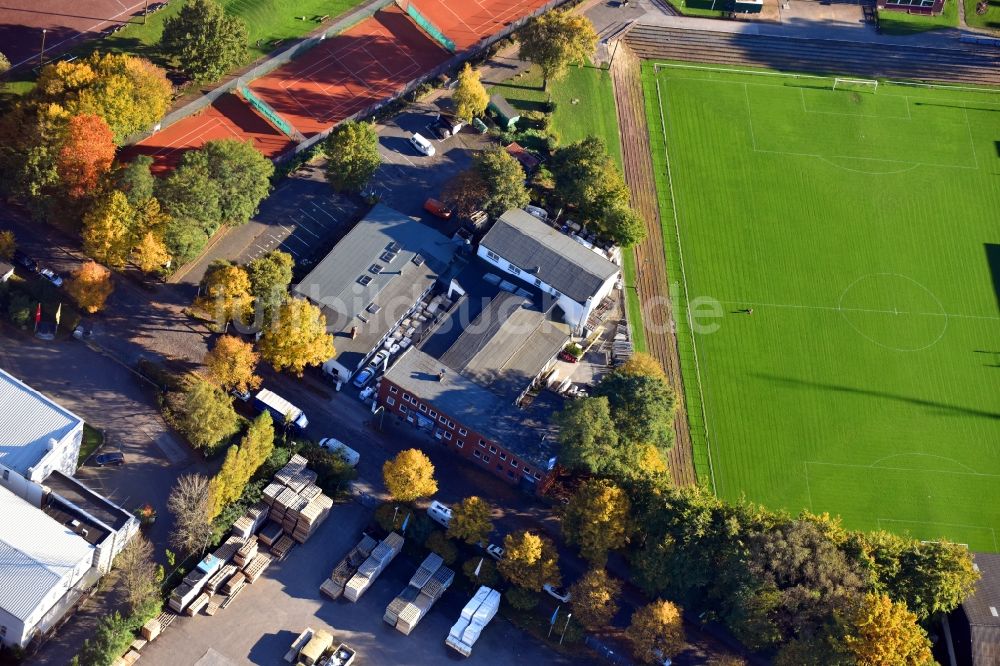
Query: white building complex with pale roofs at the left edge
column 57, row 537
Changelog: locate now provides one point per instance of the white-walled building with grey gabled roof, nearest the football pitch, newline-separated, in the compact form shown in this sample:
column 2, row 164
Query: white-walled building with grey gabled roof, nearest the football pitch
column 577, row 277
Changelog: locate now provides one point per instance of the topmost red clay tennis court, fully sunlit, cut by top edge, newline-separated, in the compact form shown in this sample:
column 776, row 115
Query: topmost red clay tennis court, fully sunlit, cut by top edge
column 466, row 22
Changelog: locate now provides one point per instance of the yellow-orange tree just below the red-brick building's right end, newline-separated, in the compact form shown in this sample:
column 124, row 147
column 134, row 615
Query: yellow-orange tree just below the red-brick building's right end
column 596, row 519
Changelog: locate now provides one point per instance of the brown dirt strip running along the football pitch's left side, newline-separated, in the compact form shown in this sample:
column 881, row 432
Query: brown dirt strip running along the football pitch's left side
column 653, row 284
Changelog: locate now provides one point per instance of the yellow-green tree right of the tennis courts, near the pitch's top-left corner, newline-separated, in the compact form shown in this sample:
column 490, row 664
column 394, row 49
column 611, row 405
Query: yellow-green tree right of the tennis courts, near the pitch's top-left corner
column 555, row 40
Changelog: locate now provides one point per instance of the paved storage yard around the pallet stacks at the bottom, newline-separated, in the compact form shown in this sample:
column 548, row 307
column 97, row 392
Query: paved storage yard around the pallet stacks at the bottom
column 261, row 623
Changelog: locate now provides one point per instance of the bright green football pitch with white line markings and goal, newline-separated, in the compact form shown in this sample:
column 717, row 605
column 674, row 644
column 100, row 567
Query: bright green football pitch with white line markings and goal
column 862, row 227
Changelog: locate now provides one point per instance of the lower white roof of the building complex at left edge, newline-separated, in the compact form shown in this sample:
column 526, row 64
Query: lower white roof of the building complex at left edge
column 35, row 553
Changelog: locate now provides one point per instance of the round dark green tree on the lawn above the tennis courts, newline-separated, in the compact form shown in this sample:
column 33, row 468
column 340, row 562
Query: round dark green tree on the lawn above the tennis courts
column 204, row 41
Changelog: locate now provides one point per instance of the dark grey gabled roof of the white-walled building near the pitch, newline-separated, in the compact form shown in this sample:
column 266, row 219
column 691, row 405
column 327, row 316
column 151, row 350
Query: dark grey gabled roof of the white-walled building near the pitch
column 551, row 256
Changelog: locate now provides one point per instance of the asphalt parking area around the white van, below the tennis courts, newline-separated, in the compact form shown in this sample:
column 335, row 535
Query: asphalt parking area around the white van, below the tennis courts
column 407, row 178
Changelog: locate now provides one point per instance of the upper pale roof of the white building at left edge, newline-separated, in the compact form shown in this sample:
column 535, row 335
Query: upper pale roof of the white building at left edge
column 28, row 420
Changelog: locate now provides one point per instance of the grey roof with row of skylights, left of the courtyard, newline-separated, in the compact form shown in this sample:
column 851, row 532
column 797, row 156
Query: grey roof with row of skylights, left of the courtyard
column 373, row 276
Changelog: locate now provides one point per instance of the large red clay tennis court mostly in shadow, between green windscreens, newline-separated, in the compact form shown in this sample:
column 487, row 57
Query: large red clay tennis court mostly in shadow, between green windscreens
column 344, row 74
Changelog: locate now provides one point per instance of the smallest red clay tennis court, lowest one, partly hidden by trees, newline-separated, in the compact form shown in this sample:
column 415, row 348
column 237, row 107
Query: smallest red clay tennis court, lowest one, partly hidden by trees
column 227, row 118
